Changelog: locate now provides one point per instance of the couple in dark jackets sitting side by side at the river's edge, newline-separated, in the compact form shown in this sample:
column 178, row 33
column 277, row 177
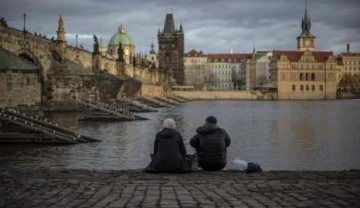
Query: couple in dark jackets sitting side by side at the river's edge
column 169, row 154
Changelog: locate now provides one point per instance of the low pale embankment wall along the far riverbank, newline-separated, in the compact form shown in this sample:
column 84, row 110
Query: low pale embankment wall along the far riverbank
column 226, row 95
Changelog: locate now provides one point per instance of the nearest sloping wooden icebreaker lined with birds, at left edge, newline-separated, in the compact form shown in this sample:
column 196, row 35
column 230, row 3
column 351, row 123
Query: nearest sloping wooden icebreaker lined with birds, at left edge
column 17, row 127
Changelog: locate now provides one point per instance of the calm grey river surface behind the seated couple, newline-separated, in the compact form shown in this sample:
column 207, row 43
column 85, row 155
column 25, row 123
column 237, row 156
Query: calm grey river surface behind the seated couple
column 279, row 135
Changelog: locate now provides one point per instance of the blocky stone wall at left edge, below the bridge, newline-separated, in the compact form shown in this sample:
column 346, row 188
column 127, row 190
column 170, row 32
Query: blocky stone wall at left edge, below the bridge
column 20, row 89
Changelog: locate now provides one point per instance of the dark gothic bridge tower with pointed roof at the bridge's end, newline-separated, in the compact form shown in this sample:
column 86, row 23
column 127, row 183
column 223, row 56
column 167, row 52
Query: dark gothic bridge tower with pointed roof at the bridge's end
column 171, row 52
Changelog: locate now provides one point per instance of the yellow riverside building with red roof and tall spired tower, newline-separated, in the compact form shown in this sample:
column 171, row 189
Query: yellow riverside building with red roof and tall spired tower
column 305, row 73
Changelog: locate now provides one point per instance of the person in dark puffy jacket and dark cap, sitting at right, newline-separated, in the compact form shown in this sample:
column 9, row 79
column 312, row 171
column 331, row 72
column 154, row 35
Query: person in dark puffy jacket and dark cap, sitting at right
column 210, row 143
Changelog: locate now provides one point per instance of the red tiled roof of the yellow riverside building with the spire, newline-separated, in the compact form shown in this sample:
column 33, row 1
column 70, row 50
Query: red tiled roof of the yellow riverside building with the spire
column 294, row 56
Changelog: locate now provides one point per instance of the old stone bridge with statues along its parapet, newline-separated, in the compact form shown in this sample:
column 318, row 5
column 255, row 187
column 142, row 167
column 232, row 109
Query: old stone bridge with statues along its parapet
column 67, row 73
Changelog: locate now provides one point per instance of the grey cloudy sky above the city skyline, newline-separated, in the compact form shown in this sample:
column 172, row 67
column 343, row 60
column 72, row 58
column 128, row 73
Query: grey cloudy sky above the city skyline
column 214, row 26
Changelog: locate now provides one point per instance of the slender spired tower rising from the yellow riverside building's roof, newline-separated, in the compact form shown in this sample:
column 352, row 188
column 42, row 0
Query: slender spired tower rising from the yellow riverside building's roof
column 306, row 40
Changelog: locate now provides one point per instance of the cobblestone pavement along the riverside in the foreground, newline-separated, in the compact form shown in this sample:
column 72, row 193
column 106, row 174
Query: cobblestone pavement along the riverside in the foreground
column 34, row 187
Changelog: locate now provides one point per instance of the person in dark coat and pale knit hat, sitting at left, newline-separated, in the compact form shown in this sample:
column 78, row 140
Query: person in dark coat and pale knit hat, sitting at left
column 169, row 151
